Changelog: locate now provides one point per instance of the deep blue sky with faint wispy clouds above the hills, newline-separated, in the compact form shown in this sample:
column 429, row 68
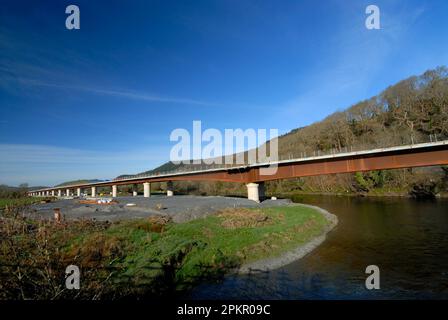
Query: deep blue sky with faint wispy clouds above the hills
column 102, row 101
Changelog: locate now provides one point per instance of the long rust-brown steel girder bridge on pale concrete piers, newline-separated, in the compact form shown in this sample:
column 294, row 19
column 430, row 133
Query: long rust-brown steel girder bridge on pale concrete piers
column 252, row 176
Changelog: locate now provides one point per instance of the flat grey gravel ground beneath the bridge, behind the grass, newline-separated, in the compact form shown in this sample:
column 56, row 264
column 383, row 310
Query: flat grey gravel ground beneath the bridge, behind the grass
column 179, row 208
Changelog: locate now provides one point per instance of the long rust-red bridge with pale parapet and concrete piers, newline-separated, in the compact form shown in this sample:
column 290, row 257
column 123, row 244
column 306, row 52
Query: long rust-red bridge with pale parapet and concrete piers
column 254, row 175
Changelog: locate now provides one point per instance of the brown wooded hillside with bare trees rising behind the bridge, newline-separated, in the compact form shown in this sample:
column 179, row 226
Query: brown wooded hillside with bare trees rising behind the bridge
column 413, row 110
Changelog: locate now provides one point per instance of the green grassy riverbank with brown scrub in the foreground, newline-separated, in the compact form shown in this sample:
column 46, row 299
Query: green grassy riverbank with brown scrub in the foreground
column 143, row 258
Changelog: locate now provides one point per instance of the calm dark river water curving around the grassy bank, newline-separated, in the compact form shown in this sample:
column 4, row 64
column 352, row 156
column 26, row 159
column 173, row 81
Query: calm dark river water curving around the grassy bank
column 407, row 239
